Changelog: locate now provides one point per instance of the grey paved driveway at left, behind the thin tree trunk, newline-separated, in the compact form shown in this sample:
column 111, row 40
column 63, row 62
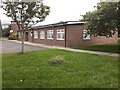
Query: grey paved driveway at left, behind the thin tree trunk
column 9, row 47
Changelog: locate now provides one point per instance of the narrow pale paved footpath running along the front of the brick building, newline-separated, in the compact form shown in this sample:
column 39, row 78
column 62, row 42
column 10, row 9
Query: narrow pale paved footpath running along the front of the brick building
column 70, row 49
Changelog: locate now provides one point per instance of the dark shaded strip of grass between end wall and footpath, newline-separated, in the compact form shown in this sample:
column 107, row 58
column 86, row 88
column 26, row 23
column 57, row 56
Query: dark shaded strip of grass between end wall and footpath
column 113, row 48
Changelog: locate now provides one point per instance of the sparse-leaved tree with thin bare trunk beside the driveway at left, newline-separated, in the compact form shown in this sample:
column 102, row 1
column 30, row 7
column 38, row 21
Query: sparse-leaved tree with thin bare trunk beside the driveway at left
column 26, row 14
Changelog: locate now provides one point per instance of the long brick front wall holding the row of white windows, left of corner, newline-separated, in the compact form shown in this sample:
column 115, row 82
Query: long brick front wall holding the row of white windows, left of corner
column 46, row 41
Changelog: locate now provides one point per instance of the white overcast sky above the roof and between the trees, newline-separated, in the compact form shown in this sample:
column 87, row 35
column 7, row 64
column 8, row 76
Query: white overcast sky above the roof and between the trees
column 63, row 10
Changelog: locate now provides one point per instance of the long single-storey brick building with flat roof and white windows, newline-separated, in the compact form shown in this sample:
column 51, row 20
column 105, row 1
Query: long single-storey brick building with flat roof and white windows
column 65, row 34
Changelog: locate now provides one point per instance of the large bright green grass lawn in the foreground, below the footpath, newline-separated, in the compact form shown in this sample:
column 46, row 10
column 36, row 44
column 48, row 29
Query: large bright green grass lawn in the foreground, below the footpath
column 80, row 70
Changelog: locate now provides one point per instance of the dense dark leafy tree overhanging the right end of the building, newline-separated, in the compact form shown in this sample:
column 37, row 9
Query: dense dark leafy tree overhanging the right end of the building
column 104, row 21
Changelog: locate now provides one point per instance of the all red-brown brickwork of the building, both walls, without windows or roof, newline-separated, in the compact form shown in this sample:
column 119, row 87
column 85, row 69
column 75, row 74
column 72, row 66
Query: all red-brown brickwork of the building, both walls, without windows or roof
column 74, row 37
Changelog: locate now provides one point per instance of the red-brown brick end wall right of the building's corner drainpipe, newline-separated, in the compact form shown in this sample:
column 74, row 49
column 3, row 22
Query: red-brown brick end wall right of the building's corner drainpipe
column 75, row 37
